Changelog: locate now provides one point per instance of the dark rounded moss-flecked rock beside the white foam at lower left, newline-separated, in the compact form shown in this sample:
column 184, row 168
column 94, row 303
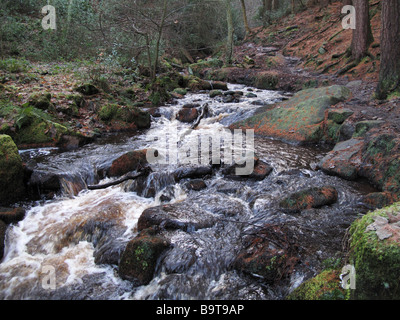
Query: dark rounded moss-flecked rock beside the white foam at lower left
column 139, row 260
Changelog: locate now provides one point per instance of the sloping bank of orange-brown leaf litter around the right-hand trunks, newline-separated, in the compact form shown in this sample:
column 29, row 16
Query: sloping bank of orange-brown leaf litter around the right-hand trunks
column 313, row 43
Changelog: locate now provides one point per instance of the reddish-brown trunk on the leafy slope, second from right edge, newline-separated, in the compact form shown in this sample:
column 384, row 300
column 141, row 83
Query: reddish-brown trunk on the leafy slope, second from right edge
column 362, row 35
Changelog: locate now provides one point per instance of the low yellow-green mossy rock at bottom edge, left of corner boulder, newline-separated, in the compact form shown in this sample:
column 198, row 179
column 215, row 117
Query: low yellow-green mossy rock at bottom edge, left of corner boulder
column 324, row 286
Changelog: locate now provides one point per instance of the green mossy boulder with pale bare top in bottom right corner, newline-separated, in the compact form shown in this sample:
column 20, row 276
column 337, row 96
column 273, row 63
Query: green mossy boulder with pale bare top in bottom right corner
column 375, row 254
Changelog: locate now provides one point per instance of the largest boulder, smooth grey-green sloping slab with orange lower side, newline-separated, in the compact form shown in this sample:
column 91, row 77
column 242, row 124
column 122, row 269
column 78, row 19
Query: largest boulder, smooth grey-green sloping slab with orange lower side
column 301, row 118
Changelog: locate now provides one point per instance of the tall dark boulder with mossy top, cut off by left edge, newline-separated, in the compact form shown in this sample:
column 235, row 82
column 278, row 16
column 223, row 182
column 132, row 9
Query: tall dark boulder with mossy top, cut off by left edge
column 11, row 172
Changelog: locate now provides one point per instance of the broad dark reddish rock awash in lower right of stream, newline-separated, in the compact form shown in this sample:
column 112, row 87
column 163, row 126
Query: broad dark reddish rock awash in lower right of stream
column 266, row 254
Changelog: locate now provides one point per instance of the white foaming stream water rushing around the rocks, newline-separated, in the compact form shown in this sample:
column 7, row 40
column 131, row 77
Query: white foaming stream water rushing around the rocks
column 77, row 237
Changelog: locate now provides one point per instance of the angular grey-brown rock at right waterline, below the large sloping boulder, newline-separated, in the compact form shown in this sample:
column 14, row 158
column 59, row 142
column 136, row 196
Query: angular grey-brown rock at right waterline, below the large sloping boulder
column 345, row 159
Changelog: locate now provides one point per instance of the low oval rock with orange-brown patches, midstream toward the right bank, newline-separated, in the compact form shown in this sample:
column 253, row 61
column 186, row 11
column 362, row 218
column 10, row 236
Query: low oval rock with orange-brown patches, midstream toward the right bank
column 310, row 198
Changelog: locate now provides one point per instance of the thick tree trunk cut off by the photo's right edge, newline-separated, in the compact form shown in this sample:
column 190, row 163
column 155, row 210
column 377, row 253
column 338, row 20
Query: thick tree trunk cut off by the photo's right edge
column 390, row 49
